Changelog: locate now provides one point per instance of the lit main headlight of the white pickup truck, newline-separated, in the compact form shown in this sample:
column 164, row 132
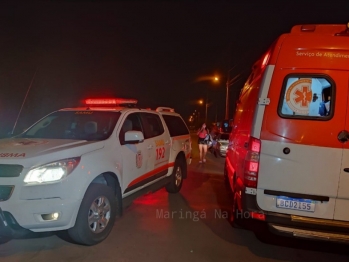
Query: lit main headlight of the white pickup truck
column 51, row 172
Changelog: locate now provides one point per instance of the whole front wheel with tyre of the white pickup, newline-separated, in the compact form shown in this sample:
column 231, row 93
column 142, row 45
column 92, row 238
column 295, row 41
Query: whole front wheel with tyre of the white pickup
column 96, row 215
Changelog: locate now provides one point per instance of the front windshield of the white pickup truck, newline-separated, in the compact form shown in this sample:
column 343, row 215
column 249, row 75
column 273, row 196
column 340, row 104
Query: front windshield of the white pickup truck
column 77, row 125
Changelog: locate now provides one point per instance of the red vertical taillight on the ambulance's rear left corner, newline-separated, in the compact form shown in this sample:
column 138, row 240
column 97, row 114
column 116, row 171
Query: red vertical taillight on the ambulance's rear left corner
column 251, row 165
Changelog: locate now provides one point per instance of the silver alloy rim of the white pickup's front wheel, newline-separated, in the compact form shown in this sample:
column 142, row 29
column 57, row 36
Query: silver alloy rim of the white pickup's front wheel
column 99, row 214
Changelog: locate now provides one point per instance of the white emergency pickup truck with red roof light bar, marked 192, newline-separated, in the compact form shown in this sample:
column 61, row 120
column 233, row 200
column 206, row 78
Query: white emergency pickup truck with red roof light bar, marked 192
column 75, row 168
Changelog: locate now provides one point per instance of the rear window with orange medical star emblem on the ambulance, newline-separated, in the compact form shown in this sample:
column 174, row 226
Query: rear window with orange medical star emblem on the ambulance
column 307, row 96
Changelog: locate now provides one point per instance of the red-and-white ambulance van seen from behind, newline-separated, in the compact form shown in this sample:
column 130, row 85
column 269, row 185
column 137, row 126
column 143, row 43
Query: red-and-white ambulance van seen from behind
column 287, row 161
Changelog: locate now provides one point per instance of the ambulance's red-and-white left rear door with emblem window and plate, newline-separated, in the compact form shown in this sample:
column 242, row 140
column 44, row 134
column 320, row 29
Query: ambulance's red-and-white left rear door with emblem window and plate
column 301, row 156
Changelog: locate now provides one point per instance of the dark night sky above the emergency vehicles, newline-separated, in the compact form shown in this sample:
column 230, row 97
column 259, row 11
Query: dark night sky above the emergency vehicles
column 66, row 51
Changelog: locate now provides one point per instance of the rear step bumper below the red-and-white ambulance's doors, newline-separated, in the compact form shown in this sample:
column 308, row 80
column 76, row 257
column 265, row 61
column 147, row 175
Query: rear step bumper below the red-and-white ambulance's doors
column 310, row 234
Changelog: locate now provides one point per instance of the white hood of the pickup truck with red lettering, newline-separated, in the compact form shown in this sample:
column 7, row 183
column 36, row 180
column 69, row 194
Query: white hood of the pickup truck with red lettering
column 29, row 152
